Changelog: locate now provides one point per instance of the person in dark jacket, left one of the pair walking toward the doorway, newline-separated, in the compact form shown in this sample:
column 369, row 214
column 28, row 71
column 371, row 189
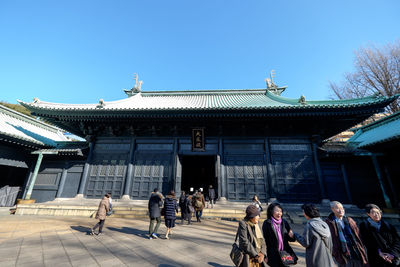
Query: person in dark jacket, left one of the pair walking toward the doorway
column 155, row 204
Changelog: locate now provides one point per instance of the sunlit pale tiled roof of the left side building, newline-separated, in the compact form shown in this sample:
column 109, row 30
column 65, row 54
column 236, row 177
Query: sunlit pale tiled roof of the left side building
column 18, row 128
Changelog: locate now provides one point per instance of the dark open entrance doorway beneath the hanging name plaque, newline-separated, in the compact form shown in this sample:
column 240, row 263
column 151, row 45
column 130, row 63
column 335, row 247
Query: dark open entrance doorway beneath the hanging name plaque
column 198, row 172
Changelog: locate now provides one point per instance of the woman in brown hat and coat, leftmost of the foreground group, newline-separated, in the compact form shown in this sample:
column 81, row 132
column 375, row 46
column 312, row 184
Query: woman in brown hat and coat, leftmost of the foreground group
column 251, row 240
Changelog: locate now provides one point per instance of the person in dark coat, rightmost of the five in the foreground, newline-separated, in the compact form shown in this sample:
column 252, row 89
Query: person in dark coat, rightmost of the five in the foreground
column 380, row 238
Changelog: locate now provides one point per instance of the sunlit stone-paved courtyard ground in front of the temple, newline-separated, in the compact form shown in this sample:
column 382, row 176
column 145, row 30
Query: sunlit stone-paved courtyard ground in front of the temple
column 63, row 241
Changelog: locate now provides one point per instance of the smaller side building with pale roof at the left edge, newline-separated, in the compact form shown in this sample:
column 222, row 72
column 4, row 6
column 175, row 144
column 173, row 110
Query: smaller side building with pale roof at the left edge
column 24, row 142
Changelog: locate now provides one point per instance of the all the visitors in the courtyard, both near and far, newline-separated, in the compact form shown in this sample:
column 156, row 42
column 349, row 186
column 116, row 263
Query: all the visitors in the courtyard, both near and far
column 335, row 241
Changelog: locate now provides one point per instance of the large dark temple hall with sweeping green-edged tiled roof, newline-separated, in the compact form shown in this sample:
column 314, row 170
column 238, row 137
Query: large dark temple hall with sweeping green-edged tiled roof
column 243, row 142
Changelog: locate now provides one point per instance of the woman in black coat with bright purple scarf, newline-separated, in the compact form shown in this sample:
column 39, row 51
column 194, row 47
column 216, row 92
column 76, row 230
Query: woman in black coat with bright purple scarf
column 277, row 234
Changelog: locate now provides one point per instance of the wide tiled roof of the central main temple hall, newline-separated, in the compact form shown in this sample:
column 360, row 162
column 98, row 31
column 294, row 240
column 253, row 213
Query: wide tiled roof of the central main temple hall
column 198, row 101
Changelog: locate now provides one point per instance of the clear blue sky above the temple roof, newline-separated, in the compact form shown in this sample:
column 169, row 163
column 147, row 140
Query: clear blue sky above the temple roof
column 78, row 51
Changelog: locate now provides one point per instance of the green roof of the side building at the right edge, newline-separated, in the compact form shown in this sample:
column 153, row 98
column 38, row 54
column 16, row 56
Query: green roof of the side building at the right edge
column 381, row 131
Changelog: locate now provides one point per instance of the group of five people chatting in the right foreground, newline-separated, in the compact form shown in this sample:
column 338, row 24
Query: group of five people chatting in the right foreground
column 335, row 241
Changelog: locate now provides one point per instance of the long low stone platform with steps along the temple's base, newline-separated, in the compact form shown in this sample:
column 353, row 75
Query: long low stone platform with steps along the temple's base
column 224, row 210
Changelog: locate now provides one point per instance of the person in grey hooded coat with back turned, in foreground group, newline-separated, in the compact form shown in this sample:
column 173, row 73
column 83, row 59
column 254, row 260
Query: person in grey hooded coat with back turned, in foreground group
column 316, row 239
